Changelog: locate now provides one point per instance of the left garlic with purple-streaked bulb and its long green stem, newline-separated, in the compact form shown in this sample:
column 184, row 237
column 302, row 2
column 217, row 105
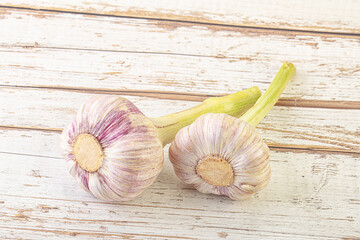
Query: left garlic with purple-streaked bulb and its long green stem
column 114, row 151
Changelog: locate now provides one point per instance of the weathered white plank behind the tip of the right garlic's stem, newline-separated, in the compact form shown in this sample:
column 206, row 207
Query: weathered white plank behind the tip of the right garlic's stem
column 317, row 80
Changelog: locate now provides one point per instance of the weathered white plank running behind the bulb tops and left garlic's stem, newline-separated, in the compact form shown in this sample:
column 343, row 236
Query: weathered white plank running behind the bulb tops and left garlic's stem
column 336, row 129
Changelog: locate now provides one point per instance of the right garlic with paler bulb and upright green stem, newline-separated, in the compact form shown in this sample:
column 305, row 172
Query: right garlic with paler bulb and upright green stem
column 223, row 155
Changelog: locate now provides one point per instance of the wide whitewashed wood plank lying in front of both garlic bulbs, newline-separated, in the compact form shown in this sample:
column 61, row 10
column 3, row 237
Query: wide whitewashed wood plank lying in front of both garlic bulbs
column 312, row 196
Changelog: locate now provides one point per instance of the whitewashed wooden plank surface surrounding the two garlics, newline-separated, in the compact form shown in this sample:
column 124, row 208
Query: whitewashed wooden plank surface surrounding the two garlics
column 167, row 56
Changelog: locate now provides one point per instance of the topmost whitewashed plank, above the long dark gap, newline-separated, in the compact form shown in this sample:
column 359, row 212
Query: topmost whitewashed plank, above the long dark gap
column 335, row 15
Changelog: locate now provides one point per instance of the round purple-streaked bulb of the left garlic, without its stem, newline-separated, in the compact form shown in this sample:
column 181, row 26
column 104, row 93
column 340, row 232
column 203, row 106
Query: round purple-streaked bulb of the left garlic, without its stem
column 132, row 154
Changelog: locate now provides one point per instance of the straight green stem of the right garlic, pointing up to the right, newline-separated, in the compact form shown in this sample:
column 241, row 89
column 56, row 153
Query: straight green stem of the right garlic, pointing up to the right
column 263, row 105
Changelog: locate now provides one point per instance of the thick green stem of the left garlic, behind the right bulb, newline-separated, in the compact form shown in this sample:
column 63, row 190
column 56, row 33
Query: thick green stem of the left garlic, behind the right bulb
column 234, row 104
